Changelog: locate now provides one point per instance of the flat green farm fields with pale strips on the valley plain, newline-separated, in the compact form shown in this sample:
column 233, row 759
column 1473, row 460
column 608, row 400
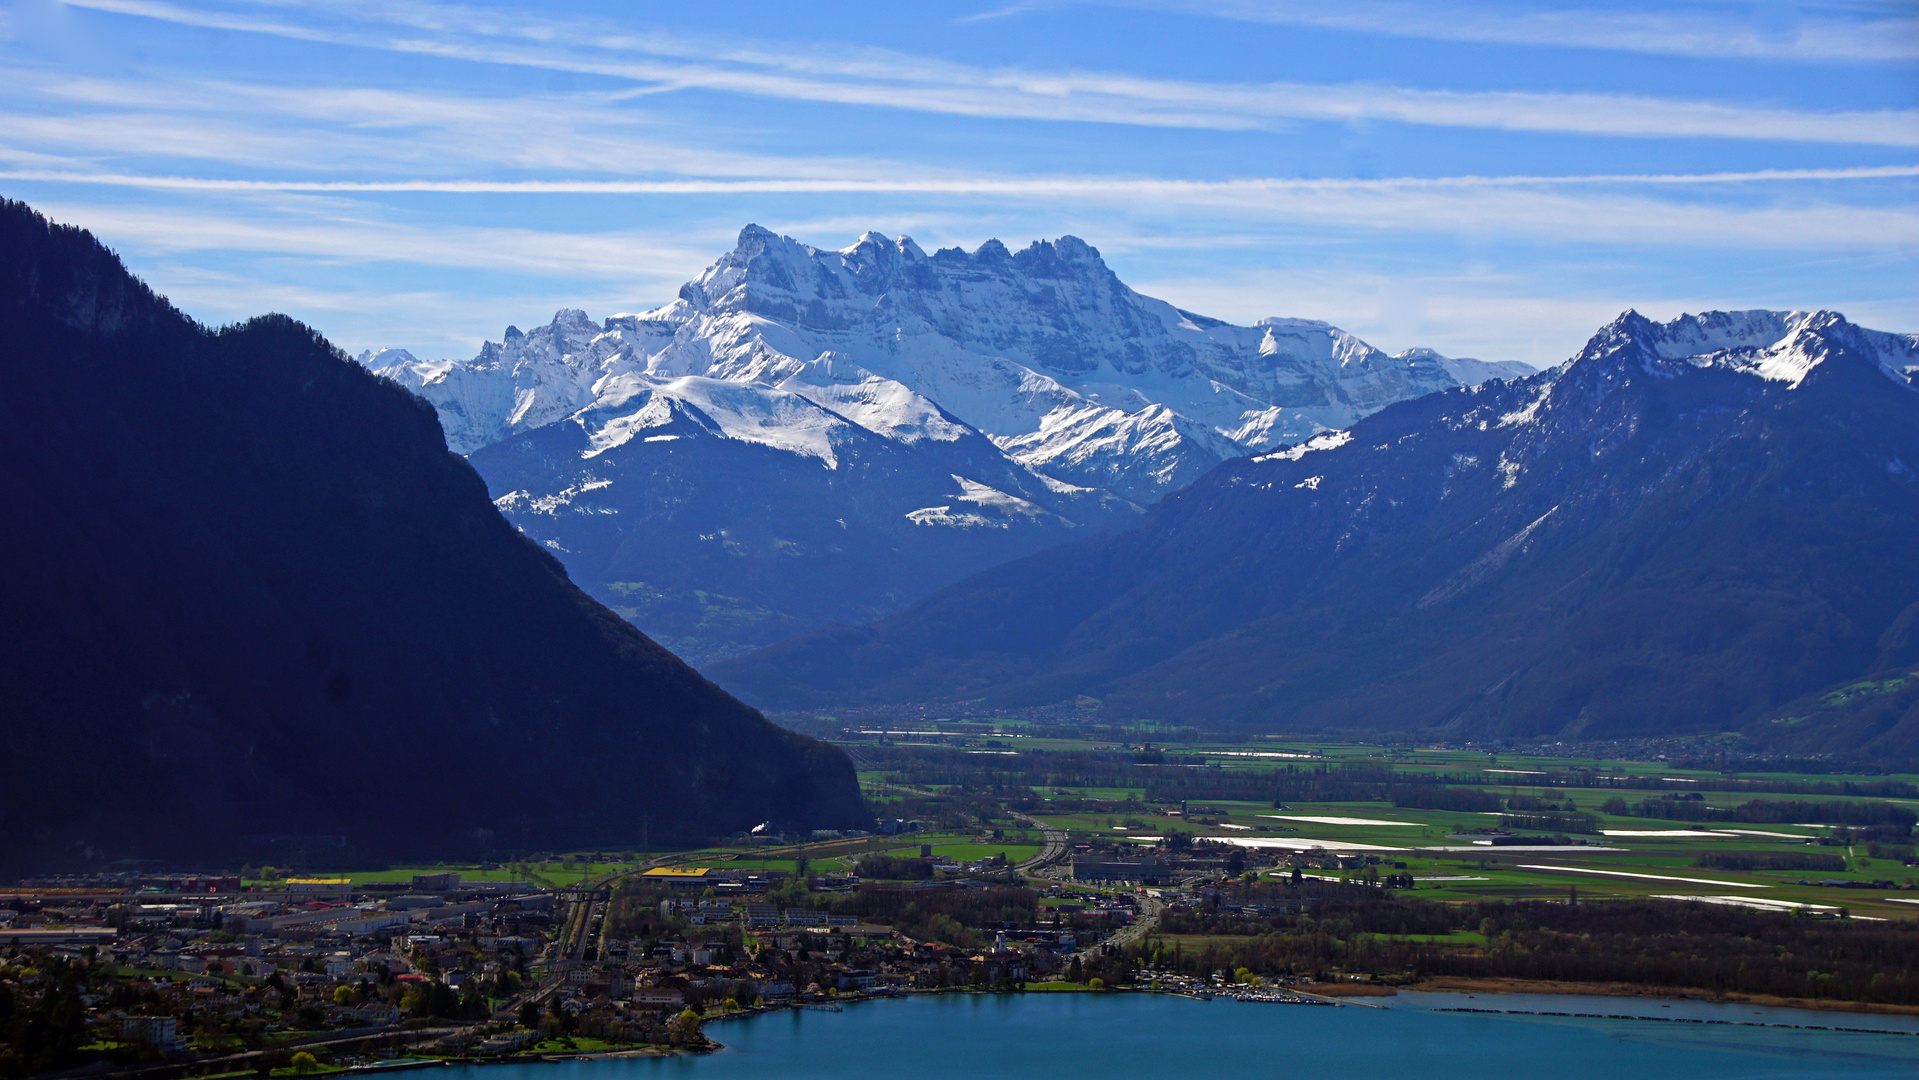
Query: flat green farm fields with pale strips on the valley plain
column 1118, row 782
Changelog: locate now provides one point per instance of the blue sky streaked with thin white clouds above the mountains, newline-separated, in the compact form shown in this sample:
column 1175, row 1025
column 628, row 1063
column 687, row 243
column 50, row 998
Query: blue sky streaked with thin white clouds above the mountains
column 1484, row 179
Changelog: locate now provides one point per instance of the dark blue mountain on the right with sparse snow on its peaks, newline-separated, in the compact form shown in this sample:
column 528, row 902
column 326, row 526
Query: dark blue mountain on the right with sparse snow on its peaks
column 1682, row 528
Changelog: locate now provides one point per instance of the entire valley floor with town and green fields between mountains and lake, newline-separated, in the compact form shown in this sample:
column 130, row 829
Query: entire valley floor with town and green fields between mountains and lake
column 1214, row 870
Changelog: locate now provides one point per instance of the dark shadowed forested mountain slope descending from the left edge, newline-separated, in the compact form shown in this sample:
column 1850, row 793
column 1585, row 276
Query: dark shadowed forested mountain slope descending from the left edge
column 252, row 596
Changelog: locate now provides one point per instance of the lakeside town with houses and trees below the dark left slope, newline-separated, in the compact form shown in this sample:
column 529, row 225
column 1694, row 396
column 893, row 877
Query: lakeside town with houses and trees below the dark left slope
column 174, row 975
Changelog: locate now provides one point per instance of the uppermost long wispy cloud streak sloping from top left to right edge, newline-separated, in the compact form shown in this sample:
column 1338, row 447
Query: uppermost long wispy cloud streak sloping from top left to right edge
column 899, row 82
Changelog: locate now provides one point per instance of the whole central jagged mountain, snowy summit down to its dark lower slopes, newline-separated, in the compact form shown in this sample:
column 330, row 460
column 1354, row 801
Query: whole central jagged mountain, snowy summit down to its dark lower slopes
column 811, row 436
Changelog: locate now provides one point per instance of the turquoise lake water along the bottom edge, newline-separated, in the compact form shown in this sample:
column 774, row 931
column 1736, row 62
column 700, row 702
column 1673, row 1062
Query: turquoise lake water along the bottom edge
column 1054, row 1037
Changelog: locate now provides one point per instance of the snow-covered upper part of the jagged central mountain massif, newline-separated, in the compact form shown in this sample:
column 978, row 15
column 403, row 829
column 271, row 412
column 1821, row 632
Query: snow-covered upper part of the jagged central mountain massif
column 1045, row 352
